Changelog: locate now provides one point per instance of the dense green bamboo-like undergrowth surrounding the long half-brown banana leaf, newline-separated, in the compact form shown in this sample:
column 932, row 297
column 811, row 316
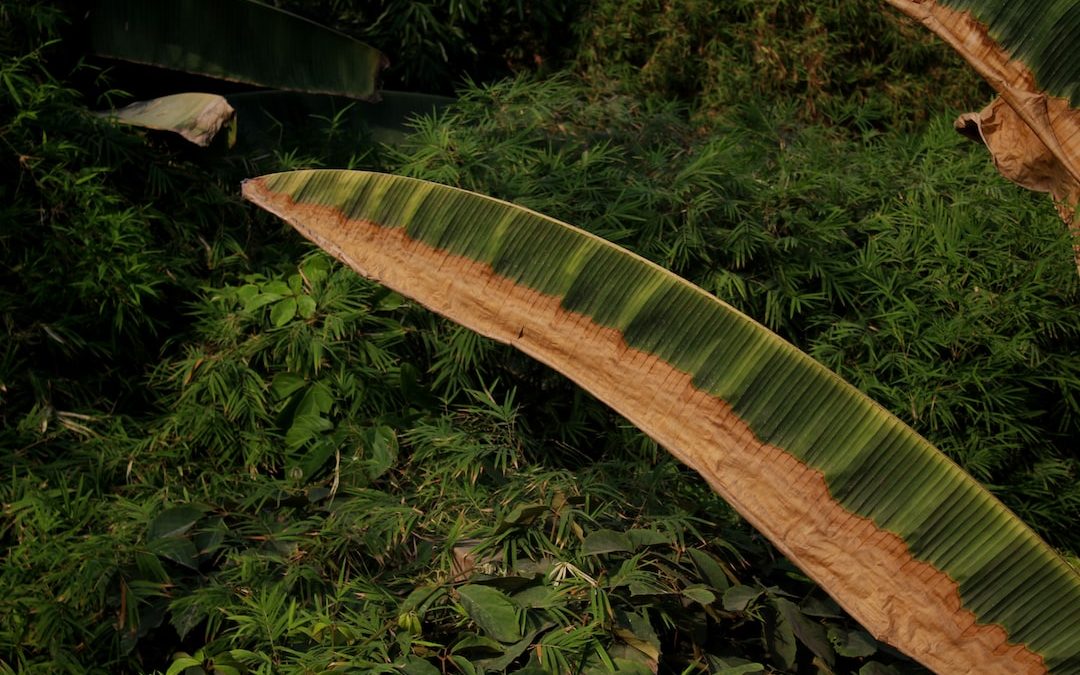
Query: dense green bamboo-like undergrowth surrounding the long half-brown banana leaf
column 226, row 452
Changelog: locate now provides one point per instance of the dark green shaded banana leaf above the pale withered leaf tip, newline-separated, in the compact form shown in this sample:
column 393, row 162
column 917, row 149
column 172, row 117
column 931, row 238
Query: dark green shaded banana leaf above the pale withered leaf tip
column 238, row 40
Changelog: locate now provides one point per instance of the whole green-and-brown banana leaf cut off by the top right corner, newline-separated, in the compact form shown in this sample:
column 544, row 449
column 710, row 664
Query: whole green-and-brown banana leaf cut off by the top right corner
column 1028, row 51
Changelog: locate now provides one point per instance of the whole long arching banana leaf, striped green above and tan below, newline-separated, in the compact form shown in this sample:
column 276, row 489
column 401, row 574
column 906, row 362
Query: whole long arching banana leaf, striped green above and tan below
column 914, row 548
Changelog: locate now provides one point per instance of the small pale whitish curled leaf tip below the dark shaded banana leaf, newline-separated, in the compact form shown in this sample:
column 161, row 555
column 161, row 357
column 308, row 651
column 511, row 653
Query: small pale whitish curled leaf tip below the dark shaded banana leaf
column 196, row 117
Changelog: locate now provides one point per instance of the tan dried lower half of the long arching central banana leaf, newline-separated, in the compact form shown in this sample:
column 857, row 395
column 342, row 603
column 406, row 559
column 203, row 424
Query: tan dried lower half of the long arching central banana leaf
column 870, row 572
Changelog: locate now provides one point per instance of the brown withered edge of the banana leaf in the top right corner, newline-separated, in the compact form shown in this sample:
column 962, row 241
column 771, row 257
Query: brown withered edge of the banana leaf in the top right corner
column 1034, row 138
